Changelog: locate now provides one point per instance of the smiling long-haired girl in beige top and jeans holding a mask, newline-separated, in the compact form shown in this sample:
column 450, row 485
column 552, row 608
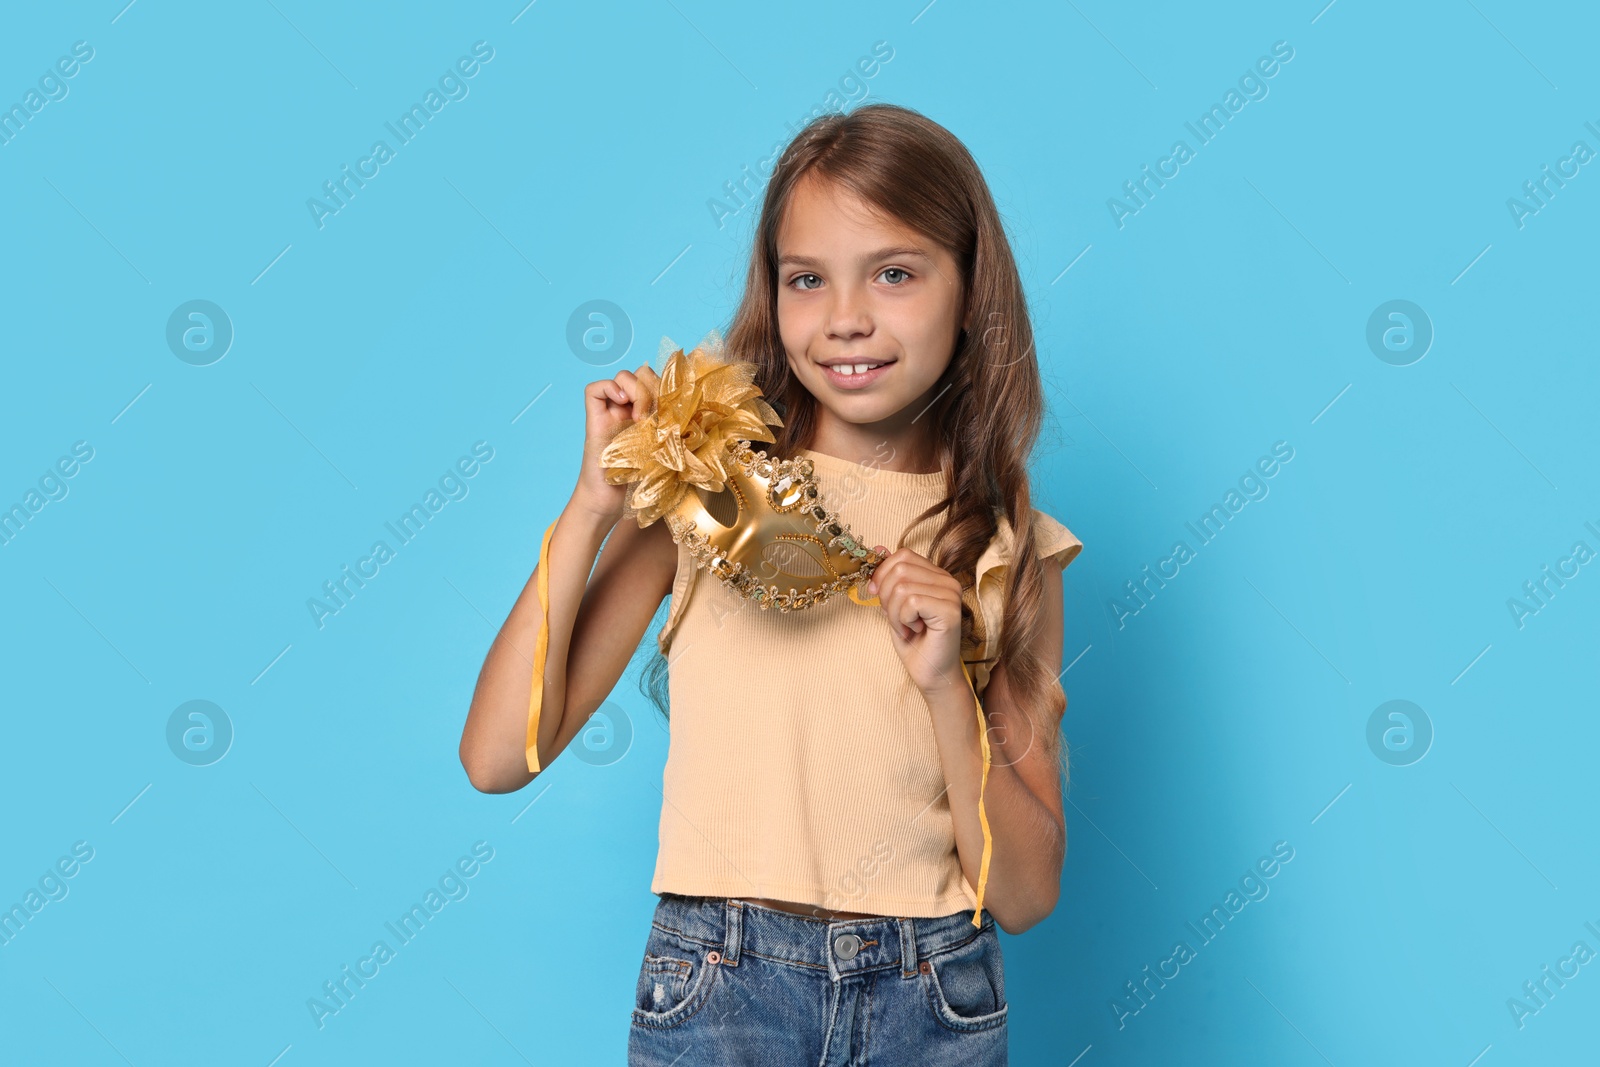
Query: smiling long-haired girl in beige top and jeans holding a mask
column 825, row 863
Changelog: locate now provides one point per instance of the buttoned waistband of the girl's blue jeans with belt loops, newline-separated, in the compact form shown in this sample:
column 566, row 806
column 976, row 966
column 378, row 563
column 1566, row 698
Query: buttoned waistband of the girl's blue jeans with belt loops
column 844, row 946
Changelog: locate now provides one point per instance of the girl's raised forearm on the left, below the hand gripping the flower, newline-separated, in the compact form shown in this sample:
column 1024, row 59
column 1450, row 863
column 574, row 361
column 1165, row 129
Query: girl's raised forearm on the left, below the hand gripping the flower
column 494, row 743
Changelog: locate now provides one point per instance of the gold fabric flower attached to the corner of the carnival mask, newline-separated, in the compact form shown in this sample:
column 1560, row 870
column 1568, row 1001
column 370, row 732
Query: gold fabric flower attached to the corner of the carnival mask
column 703, row 404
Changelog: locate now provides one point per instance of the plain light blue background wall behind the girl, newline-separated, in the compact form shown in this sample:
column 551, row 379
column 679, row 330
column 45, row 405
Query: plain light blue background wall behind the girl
column 426, row 316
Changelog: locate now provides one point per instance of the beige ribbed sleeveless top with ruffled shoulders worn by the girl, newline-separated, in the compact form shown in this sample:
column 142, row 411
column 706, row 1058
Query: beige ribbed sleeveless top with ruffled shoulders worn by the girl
column 802, row 762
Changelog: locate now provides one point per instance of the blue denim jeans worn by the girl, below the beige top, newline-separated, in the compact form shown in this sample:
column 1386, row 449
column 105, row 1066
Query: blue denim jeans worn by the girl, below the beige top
column 729, row 983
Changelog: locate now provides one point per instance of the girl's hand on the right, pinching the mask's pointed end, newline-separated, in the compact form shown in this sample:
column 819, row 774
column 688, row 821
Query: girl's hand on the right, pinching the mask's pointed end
column 924, row 607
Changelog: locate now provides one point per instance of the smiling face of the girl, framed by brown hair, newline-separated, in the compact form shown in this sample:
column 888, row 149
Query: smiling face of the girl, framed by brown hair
column 858, row 289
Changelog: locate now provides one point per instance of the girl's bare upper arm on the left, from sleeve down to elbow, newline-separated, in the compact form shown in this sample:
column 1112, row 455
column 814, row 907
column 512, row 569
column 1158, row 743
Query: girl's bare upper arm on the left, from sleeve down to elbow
column 631, row 578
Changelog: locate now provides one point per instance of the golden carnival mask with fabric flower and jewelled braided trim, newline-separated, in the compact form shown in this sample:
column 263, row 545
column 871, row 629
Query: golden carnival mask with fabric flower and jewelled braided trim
column 754, row 522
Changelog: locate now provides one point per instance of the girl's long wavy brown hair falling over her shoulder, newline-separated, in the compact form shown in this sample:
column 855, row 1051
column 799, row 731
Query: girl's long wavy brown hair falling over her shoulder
column 988, row 407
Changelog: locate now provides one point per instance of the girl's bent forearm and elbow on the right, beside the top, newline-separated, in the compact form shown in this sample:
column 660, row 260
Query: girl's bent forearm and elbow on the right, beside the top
column 1026, row 845
